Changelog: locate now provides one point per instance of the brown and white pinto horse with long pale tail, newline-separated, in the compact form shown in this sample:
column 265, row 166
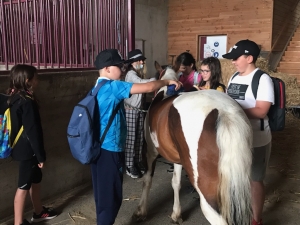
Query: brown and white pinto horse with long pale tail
column 207, row 133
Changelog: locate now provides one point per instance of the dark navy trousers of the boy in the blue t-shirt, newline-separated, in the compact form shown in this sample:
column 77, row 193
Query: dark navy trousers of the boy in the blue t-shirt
column 107, row 175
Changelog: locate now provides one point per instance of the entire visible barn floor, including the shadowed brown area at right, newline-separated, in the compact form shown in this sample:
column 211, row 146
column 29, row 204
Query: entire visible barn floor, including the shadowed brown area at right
column 282, row 205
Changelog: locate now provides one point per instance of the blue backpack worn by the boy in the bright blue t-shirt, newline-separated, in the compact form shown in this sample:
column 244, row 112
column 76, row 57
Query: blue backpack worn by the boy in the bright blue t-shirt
column 84, row 128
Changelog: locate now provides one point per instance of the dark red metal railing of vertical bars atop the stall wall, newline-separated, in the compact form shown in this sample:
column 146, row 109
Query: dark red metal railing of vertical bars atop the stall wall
column 61, row 33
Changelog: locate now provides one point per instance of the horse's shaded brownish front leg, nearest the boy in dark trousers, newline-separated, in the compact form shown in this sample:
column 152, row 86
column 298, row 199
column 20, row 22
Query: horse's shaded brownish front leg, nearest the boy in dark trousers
column 141, row 212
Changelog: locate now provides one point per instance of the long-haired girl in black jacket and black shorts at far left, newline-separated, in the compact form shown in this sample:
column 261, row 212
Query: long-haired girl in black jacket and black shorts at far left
column 29, row 149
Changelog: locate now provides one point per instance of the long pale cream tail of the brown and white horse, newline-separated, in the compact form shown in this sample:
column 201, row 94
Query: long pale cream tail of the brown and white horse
column 234, row 139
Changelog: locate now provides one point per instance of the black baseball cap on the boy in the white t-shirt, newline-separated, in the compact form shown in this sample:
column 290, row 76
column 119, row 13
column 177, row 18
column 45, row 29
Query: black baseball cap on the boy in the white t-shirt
column 243, row 47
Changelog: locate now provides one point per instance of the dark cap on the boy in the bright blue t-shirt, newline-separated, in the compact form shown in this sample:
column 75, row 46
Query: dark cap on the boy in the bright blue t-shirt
column 108, row 57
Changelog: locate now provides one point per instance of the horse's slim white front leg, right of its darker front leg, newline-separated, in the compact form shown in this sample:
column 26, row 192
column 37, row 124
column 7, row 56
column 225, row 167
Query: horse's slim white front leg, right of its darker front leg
column 176, row 184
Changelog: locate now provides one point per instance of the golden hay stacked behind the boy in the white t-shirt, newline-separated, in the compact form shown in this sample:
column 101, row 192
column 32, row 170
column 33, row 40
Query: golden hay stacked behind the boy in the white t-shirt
column 292, row 88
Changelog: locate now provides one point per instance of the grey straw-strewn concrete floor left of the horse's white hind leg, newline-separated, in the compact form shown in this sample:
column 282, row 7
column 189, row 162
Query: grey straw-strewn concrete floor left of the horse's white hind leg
column 77, row 206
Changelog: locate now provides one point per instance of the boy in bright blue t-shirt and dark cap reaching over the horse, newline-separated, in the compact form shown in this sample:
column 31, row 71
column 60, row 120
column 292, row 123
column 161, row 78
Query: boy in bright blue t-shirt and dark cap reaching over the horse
column 107, row 171
